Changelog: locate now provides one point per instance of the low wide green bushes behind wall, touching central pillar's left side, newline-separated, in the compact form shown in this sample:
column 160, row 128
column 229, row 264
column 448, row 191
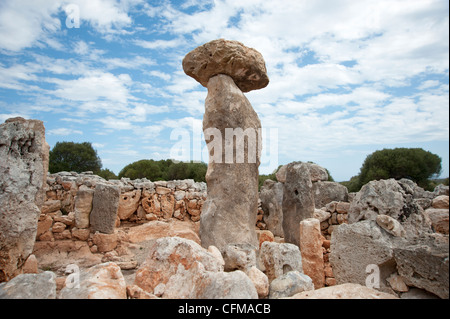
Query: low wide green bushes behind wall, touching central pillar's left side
column 165, row 170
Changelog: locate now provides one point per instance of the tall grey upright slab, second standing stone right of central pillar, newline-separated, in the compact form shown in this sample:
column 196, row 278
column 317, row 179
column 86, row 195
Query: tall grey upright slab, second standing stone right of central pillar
column 298, row 200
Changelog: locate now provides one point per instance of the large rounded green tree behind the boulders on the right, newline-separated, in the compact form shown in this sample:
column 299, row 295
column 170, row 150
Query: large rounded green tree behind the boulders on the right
column 412, row 163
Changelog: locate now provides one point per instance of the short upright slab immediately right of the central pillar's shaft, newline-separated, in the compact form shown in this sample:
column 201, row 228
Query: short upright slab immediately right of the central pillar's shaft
column 271, row 195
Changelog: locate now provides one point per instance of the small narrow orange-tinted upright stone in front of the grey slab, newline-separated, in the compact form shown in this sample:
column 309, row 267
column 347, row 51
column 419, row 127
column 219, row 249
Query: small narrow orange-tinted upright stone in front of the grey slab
column 311, row 250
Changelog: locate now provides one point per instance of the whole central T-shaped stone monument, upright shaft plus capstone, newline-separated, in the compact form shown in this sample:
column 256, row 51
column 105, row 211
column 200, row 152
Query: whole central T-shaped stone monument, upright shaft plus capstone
column 232, row 133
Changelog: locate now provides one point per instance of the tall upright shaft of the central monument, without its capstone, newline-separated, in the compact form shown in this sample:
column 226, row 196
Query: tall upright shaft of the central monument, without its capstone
column 229, row 212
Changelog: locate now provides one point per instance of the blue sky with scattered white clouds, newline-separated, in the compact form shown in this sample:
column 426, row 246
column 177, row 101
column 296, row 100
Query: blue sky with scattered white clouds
column 347, row 77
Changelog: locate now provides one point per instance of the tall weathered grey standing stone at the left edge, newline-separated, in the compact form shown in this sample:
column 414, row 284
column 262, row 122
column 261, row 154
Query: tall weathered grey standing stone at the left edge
column 23, row 172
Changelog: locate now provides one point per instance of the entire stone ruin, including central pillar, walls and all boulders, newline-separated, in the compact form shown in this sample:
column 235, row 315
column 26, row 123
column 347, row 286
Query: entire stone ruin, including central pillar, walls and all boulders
column 76, row 235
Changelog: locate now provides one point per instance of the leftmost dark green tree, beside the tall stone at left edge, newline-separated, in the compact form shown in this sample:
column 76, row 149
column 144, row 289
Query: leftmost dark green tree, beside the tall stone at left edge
column 77, row 157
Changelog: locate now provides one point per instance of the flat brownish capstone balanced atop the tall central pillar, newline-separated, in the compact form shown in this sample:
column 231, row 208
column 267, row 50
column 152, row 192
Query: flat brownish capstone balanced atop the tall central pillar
column 244, row 65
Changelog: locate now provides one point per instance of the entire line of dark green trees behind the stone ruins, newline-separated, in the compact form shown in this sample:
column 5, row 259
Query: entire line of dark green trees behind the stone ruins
column 415, row 164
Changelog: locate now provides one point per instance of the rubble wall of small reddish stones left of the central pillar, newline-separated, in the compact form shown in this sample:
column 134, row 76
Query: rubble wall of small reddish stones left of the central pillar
column 69, row 197
